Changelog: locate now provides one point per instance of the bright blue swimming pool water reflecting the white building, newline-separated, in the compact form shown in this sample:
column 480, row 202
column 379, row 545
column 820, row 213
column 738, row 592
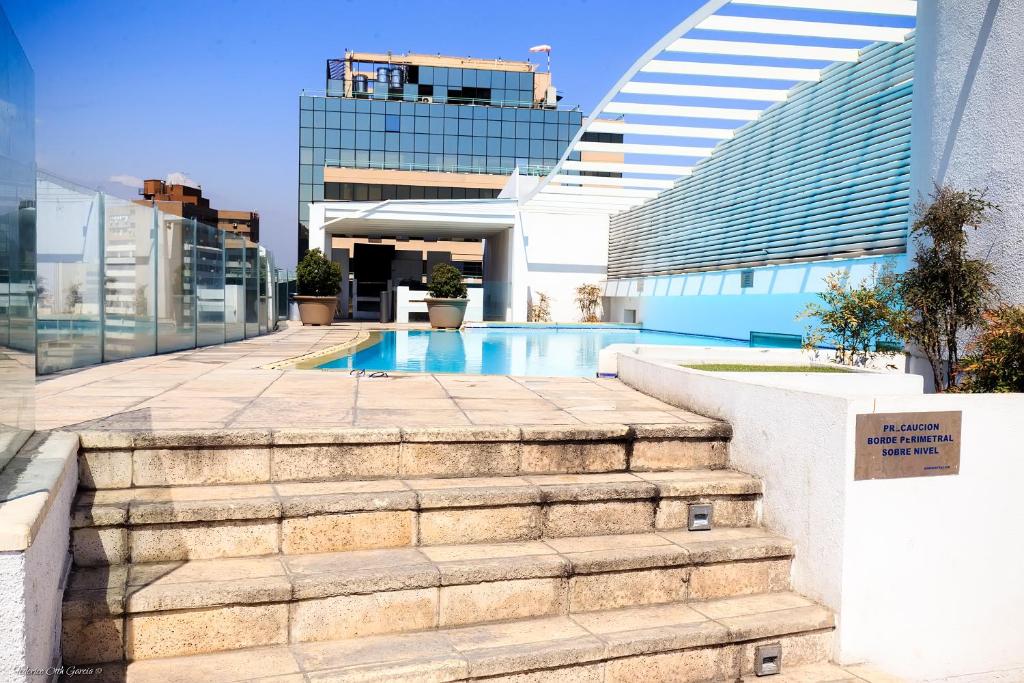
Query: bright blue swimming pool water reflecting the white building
column 544, row 352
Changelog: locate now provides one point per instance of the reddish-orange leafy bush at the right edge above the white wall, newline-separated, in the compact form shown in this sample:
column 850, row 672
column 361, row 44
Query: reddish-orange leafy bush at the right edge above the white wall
column 996, row 361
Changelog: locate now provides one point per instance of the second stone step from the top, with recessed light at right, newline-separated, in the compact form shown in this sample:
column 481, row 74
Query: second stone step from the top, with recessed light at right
column 154, row 525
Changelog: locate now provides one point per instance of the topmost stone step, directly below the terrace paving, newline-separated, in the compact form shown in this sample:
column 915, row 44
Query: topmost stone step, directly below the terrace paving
column 125, row 459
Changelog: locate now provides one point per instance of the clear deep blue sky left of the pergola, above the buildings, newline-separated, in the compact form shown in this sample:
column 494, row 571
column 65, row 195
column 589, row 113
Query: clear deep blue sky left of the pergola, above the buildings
column 210, row 90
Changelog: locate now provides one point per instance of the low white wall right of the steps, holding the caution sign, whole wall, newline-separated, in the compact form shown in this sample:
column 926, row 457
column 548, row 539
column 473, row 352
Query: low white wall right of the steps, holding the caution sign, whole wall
column 923, row 588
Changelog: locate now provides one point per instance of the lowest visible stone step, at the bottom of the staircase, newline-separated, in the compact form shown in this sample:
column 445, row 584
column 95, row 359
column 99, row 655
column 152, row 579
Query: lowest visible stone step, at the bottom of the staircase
column 697, row 642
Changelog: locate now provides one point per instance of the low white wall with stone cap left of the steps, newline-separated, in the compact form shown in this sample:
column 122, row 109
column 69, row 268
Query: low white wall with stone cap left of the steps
column 35, row 513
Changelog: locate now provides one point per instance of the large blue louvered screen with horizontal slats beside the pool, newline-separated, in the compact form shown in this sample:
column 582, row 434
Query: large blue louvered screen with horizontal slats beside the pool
column 825, row 175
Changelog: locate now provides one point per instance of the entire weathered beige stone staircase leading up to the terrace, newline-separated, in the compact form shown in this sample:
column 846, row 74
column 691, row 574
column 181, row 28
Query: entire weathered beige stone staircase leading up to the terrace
column 442, row 554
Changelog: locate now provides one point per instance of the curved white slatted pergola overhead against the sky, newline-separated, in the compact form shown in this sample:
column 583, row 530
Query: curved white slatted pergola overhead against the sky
column 714, row 73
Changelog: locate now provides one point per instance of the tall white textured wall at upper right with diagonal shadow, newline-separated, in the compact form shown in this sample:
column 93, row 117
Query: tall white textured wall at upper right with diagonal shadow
column 969, row 119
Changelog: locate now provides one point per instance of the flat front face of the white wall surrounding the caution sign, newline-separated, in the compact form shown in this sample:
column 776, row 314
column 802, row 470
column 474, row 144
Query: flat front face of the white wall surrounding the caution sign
column 934, row 568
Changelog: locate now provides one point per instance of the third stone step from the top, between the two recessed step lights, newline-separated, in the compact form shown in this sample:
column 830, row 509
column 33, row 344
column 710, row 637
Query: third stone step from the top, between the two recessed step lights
column 152, row 611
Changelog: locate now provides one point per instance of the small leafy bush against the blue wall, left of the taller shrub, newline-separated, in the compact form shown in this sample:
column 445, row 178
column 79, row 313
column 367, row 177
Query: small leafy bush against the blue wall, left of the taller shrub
column 855, row 320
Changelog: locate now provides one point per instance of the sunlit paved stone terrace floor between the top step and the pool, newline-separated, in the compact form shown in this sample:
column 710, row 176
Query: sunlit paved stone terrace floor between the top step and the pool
column 230, row 388
